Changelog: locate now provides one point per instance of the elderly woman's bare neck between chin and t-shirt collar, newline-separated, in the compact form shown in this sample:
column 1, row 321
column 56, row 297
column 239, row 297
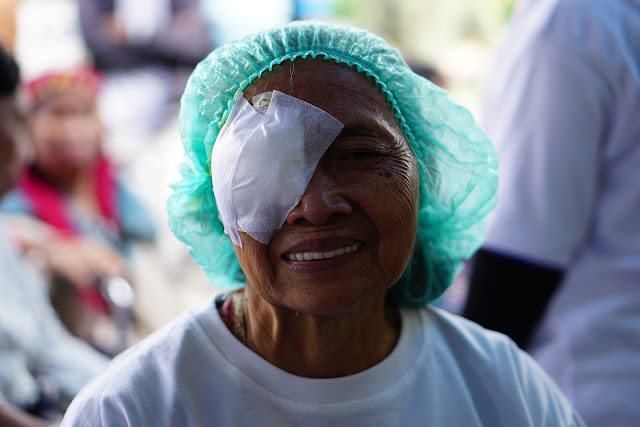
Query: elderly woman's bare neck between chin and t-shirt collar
column 322, row 346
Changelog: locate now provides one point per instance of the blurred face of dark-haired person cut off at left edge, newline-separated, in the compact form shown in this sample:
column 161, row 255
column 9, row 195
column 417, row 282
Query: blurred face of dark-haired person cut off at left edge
column 14, row 144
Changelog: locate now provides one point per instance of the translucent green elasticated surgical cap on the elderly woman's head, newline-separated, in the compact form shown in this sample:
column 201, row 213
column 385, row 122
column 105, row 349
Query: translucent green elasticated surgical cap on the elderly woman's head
column 458, row 177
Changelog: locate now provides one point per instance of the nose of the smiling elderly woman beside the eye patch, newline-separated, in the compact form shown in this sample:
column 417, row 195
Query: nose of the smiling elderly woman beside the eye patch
column 321, row 201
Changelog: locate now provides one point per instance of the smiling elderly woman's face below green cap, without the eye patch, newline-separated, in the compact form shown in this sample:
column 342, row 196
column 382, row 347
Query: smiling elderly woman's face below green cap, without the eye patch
column 352, row 234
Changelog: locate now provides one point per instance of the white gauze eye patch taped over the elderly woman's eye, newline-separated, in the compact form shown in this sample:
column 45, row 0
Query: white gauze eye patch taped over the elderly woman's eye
column 263, row 160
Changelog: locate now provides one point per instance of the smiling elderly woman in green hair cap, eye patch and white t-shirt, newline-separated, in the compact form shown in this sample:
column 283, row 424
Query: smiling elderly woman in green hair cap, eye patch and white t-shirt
column 350, row 189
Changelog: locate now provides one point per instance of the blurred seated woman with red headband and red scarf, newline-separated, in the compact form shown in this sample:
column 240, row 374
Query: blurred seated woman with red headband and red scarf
column 72, row 188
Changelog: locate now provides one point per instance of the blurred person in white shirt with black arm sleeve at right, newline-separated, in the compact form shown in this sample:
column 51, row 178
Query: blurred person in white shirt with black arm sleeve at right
column 560, row 269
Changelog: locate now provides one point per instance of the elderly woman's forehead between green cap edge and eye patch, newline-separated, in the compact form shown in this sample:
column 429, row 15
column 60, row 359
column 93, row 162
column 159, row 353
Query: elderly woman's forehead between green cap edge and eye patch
column 346, row 94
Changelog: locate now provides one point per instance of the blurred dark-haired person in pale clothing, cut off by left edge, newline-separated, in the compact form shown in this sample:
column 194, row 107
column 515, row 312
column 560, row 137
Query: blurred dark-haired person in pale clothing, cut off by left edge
column 42, row 366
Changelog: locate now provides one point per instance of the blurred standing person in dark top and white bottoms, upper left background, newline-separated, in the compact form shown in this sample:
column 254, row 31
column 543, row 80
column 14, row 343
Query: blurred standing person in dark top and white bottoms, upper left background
column 146, row 50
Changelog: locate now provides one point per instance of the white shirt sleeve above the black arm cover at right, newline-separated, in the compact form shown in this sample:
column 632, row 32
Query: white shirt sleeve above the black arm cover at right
column 545, row 113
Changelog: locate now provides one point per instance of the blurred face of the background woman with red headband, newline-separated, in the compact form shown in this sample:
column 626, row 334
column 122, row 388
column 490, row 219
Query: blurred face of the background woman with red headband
column 66, row 134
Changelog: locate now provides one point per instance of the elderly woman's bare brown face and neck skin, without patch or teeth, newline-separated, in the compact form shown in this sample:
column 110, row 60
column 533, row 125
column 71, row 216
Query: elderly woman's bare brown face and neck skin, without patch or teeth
column 328, row 317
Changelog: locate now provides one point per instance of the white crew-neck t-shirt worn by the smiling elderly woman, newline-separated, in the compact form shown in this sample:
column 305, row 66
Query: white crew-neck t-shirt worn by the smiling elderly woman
column 444, row 371
